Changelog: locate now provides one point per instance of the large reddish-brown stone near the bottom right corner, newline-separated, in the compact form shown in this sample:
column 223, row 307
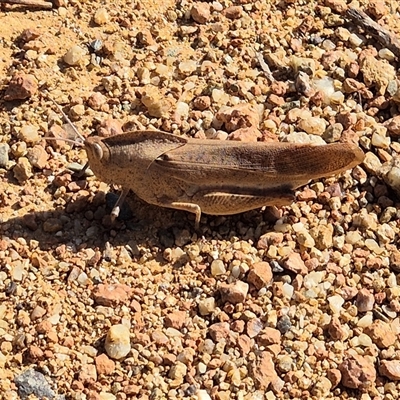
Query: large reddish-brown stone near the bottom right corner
column 357, row 372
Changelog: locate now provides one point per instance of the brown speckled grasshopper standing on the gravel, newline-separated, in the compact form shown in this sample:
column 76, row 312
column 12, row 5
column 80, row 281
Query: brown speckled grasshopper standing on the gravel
column 212, row 176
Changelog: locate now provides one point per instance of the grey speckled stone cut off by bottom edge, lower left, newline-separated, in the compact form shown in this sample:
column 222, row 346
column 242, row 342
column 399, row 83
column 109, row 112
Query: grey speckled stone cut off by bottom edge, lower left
column 31, row 382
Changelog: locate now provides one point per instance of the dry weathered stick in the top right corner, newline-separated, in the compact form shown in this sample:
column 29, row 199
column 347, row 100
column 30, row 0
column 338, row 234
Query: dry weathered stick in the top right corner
column 381, row 34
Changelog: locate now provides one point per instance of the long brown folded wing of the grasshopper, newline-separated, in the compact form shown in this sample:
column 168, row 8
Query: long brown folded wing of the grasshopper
column 218, row 164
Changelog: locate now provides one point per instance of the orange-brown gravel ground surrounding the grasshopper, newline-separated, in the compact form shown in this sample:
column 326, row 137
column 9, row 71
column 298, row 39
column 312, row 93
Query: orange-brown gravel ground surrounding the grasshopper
column 300, row 302
